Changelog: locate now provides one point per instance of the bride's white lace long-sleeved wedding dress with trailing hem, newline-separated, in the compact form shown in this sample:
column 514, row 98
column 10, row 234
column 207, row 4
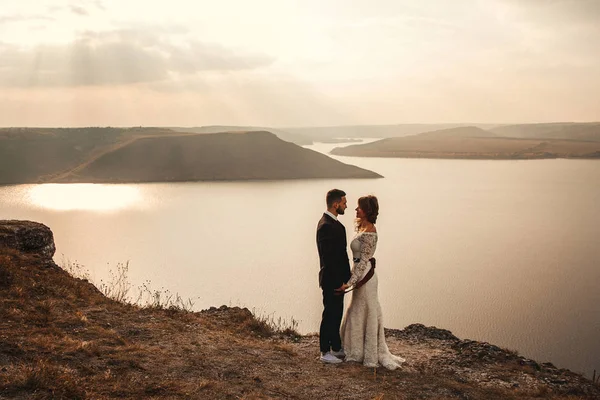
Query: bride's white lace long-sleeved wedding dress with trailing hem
column 362, row 327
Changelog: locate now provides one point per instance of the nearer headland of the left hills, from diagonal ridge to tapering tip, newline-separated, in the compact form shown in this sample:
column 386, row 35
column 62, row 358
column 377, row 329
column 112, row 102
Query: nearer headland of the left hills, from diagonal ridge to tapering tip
column 221, row 156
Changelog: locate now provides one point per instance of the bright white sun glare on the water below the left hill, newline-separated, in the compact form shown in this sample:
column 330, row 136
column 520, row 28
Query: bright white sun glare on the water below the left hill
column 84, row 196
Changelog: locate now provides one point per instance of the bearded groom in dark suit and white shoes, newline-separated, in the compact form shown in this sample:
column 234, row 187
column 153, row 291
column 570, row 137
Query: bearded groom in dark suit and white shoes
column 334, row 272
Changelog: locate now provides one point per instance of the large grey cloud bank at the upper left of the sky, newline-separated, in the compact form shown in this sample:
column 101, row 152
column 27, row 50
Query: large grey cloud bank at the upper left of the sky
column 116, row 58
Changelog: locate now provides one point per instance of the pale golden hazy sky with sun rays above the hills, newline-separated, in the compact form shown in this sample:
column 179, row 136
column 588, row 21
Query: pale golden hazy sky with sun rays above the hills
column 283, row 63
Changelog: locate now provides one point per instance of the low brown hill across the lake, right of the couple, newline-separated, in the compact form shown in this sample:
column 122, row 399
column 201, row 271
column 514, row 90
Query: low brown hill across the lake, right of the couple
column 472, row 143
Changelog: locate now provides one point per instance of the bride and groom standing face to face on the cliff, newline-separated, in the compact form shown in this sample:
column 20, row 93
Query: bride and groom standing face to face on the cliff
column 361, row 331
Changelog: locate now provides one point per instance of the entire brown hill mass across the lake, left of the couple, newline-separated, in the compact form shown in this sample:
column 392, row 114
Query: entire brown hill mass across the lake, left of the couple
column 41, row 155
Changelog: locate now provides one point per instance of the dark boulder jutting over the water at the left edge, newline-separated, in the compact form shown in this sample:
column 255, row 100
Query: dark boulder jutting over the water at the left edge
column 27, row 237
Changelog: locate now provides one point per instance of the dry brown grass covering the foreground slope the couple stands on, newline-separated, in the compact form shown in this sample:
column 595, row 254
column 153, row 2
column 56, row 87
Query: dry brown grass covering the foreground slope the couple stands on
column 60, row 337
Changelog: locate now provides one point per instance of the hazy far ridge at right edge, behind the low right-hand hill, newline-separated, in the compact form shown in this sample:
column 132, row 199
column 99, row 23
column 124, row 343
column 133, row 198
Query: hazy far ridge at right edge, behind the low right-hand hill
column 559, row 130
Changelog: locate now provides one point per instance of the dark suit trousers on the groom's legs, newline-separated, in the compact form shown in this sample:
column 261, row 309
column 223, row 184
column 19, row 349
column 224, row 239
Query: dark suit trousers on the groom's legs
column 329, row 333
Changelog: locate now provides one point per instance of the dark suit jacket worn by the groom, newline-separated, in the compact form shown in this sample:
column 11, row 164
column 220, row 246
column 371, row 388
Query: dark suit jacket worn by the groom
column 333, row 256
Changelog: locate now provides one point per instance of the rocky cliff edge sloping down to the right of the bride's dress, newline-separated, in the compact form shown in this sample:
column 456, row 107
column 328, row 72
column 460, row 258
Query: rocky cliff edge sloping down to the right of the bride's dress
column 435, row 351
